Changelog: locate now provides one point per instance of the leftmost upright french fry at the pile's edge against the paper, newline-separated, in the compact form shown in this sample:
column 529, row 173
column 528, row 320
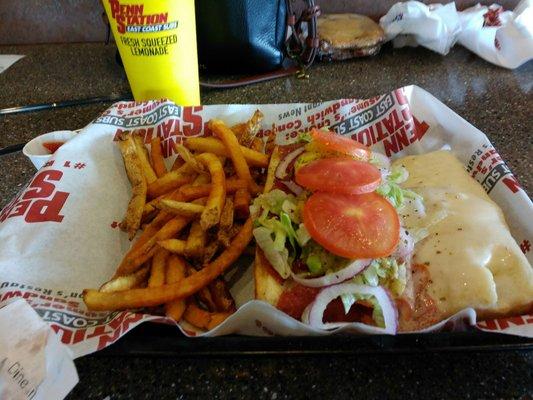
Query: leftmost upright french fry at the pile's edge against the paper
column 134, row 212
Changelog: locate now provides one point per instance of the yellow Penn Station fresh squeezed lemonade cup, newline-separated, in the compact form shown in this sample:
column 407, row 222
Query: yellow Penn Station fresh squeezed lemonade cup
column 156, row 40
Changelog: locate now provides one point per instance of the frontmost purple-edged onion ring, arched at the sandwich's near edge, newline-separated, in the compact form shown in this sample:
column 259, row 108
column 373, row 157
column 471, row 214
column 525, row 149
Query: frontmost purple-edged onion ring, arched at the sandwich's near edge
column 315, row 311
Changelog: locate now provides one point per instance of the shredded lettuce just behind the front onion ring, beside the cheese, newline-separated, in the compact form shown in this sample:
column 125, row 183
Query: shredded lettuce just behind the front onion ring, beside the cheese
column 385, row 272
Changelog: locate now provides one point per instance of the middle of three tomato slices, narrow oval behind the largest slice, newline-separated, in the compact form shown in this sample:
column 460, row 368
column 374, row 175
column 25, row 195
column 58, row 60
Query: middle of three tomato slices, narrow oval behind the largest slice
column 339, row 175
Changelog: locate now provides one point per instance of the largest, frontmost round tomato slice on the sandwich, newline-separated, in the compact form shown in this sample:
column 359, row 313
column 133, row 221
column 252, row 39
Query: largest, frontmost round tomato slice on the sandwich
column 352, row 226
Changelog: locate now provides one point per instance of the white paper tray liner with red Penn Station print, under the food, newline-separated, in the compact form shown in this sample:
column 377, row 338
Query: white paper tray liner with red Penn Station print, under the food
column 61, row 235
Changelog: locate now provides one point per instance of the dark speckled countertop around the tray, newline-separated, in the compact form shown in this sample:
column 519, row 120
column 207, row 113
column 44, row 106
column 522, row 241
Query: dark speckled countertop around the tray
column 497, row 101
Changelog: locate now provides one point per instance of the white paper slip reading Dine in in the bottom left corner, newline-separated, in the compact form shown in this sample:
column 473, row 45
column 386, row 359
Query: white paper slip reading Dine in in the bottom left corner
column 33, row 362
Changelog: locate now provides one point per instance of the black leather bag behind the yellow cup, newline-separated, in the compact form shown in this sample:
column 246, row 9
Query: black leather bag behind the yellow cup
column 252, row 36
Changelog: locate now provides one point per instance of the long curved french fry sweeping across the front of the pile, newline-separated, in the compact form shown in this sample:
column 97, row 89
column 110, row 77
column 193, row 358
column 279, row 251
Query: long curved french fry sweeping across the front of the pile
column 149, row 297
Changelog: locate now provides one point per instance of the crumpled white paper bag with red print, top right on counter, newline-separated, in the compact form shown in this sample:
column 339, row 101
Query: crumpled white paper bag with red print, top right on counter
column 503, row 38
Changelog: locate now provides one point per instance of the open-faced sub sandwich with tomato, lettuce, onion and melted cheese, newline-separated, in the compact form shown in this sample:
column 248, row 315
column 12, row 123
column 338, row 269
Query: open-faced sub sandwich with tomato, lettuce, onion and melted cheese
column 344, row 236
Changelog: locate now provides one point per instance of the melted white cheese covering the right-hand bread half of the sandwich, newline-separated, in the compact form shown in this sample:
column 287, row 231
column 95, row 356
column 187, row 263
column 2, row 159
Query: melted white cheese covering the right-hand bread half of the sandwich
column 470, row 254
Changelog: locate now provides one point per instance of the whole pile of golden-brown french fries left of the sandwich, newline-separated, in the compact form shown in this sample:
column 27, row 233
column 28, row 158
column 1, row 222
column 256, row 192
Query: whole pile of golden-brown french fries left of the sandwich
column 195, row 223
